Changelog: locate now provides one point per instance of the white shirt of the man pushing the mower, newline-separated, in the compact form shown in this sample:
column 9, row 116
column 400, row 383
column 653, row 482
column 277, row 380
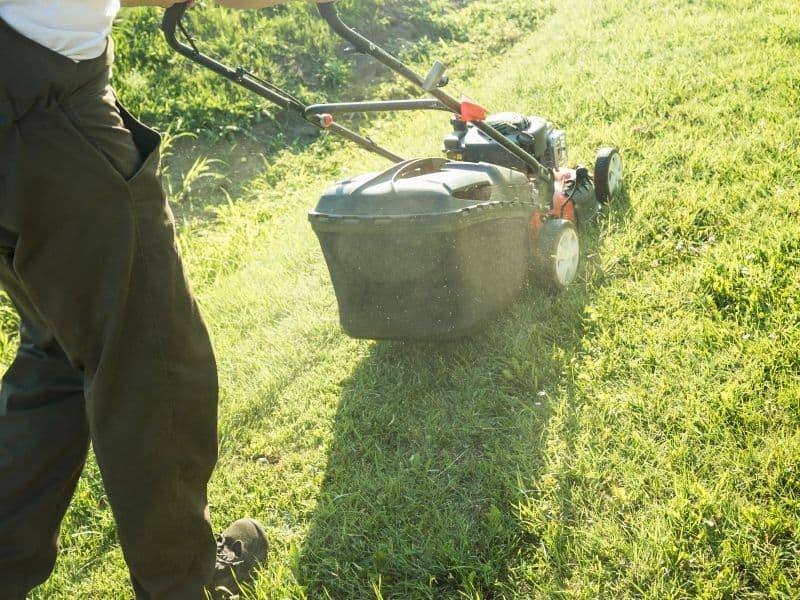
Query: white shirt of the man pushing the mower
column 75, row 28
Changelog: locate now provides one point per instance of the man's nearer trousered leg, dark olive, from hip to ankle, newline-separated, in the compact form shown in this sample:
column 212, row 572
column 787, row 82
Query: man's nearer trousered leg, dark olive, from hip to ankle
column 96, row 255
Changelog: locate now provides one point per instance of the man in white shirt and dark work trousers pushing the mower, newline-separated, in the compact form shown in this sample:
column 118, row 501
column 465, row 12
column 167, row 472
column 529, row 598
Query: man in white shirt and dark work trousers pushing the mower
column 112, row 346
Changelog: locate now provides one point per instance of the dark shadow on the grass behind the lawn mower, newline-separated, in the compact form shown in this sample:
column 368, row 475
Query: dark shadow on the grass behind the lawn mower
column 433, row 447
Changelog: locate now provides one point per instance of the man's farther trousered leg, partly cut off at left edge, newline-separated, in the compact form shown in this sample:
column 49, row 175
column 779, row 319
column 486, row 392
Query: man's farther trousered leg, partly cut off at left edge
column 43, row 443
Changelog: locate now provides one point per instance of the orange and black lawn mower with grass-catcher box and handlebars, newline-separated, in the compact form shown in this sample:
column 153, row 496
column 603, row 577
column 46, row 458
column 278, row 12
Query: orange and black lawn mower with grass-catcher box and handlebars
column 433, row 248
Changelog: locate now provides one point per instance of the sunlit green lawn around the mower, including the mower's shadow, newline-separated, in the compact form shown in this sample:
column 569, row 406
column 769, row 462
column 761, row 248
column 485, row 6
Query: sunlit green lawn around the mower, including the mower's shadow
column 634, row 437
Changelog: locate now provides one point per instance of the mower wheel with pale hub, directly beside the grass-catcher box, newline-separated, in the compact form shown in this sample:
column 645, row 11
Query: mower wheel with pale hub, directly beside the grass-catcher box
column 558, row 254
